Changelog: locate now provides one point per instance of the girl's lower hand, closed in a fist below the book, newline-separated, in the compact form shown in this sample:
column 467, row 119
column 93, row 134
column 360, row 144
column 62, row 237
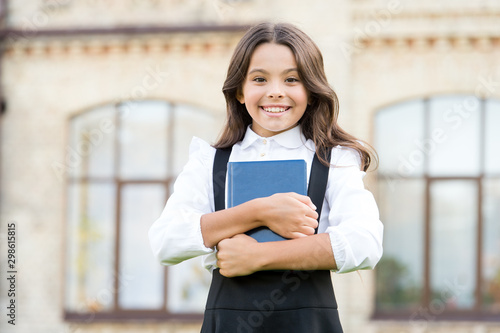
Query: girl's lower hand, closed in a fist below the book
column 235, row 256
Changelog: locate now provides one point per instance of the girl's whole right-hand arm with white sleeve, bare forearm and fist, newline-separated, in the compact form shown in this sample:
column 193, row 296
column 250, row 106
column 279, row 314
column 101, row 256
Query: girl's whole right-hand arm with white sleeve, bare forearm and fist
column 351, row 239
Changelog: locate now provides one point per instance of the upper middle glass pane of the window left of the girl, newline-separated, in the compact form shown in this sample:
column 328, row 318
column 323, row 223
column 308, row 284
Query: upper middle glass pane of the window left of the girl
column 144, row 140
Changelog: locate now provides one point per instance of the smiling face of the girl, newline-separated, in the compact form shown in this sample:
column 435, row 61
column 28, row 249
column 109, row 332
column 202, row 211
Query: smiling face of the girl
column 272, row 91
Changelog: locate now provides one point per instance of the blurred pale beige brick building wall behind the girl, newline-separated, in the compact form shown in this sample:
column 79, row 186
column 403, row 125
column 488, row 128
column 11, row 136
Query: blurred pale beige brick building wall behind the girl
column 376, row 53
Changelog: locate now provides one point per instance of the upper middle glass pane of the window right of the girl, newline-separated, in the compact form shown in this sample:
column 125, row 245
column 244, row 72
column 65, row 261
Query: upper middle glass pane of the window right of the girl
column 454, row 132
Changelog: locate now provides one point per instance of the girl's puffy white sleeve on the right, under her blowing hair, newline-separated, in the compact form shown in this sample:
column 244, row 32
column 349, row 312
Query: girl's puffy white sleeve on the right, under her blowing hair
column 355, row 229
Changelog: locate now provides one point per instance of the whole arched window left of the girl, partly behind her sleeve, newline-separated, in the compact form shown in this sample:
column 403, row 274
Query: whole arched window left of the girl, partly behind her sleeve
column 123, row 160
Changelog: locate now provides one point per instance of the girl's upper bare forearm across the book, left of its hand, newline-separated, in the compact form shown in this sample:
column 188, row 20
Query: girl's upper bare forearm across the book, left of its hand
column 226, row 223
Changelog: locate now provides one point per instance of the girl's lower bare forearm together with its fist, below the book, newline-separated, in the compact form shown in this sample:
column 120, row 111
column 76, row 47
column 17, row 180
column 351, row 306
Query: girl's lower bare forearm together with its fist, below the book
column 242, row 255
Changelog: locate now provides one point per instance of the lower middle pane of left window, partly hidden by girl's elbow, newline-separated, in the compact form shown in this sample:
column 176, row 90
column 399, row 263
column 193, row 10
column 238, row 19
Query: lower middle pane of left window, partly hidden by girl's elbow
column 141, row 276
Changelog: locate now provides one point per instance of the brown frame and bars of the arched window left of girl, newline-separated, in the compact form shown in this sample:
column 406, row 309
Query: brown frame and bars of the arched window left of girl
column 117, row 313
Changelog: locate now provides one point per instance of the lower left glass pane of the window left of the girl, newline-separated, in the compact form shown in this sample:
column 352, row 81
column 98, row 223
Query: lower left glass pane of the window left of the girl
column 90, row 247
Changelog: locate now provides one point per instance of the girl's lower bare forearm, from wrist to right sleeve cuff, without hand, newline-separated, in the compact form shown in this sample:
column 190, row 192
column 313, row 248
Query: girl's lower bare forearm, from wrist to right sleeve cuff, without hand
column 307, row 253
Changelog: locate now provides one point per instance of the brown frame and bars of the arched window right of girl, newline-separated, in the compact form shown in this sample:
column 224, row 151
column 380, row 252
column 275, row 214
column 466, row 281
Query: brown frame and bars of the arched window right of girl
column 424, row 310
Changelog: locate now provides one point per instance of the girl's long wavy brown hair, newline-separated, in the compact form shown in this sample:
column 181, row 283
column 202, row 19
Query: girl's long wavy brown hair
column 319, row 122
